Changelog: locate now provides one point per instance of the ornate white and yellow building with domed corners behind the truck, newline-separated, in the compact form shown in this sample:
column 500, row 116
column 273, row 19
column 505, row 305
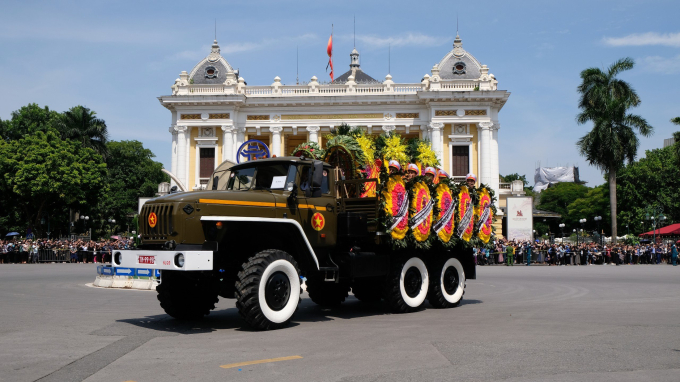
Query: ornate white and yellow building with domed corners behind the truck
column 456, row 107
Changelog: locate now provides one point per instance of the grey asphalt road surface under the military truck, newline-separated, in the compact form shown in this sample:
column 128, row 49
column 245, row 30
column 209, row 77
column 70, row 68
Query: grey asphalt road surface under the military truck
column 594, row 323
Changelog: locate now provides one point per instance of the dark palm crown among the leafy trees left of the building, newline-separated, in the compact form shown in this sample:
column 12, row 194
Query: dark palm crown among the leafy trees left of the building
column 81, row 124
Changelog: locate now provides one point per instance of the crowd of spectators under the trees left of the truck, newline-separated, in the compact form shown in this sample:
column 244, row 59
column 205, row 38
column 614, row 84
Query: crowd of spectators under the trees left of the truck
column 44, row 250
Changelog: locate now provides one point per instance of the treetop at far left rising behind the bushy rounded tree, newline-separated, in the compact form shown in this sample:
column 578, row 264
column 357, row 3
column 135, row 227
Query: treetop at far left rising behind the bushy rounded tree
column 28, row 120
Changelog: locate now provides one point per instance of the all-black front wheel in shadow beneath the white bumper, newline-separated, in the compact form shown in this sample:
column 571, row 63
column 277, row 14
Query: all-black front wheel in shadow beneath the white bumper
column 186, row 297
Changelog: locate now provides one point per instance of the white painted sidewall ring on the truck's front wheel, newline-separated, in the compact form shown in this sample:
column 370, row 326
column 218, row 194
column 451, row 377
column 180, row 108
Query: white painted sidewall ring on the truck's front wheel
column 286, row 313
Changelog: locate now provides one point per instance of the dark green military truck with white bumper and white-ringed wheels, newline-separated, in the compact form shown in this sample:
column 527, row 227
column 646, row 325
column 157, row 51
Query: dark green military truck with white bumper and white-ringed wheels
column 262, row 226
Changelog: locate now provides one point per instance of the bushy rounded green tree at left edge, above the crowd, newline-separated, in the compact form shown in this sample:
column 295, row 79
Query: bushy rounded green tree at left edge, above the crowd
column 41, row 172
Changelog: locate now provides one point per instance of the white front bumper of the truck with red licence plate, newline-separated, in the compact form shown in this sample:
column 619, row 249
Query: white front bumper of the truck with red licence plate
column 165, row 260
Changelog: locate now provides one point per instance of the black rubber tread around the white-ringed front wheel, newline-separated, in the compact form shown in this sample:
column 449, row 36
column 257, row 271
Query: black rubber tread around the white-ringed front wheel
column 247, row 287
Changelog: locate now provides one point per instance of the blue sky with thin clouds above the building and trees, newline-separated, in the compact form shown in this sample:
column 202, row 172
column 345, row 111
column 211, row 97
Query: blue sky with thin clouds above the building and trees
column 116, row 57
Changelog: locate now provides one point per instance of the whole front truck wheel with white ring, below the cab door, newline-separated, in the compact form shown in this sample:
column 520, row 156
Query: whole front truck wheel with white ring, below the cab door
column 268, row 290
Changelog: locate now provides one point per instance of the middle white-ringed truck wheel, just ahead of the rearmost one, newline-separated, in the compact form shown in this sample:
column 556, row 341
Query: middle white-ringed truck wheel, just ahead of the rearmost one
column 406, row 285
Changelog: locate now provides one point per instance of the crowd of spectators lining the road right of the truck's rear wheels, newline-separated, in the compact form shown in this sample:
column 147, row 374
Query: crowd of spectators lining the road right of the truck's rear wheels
column 512, row 252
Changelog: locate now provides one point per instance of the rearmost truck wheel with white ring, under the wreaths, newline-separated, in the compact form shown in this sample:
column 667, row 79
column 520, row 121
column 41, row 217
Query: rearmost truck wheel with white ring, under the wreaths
column 448, row 284
